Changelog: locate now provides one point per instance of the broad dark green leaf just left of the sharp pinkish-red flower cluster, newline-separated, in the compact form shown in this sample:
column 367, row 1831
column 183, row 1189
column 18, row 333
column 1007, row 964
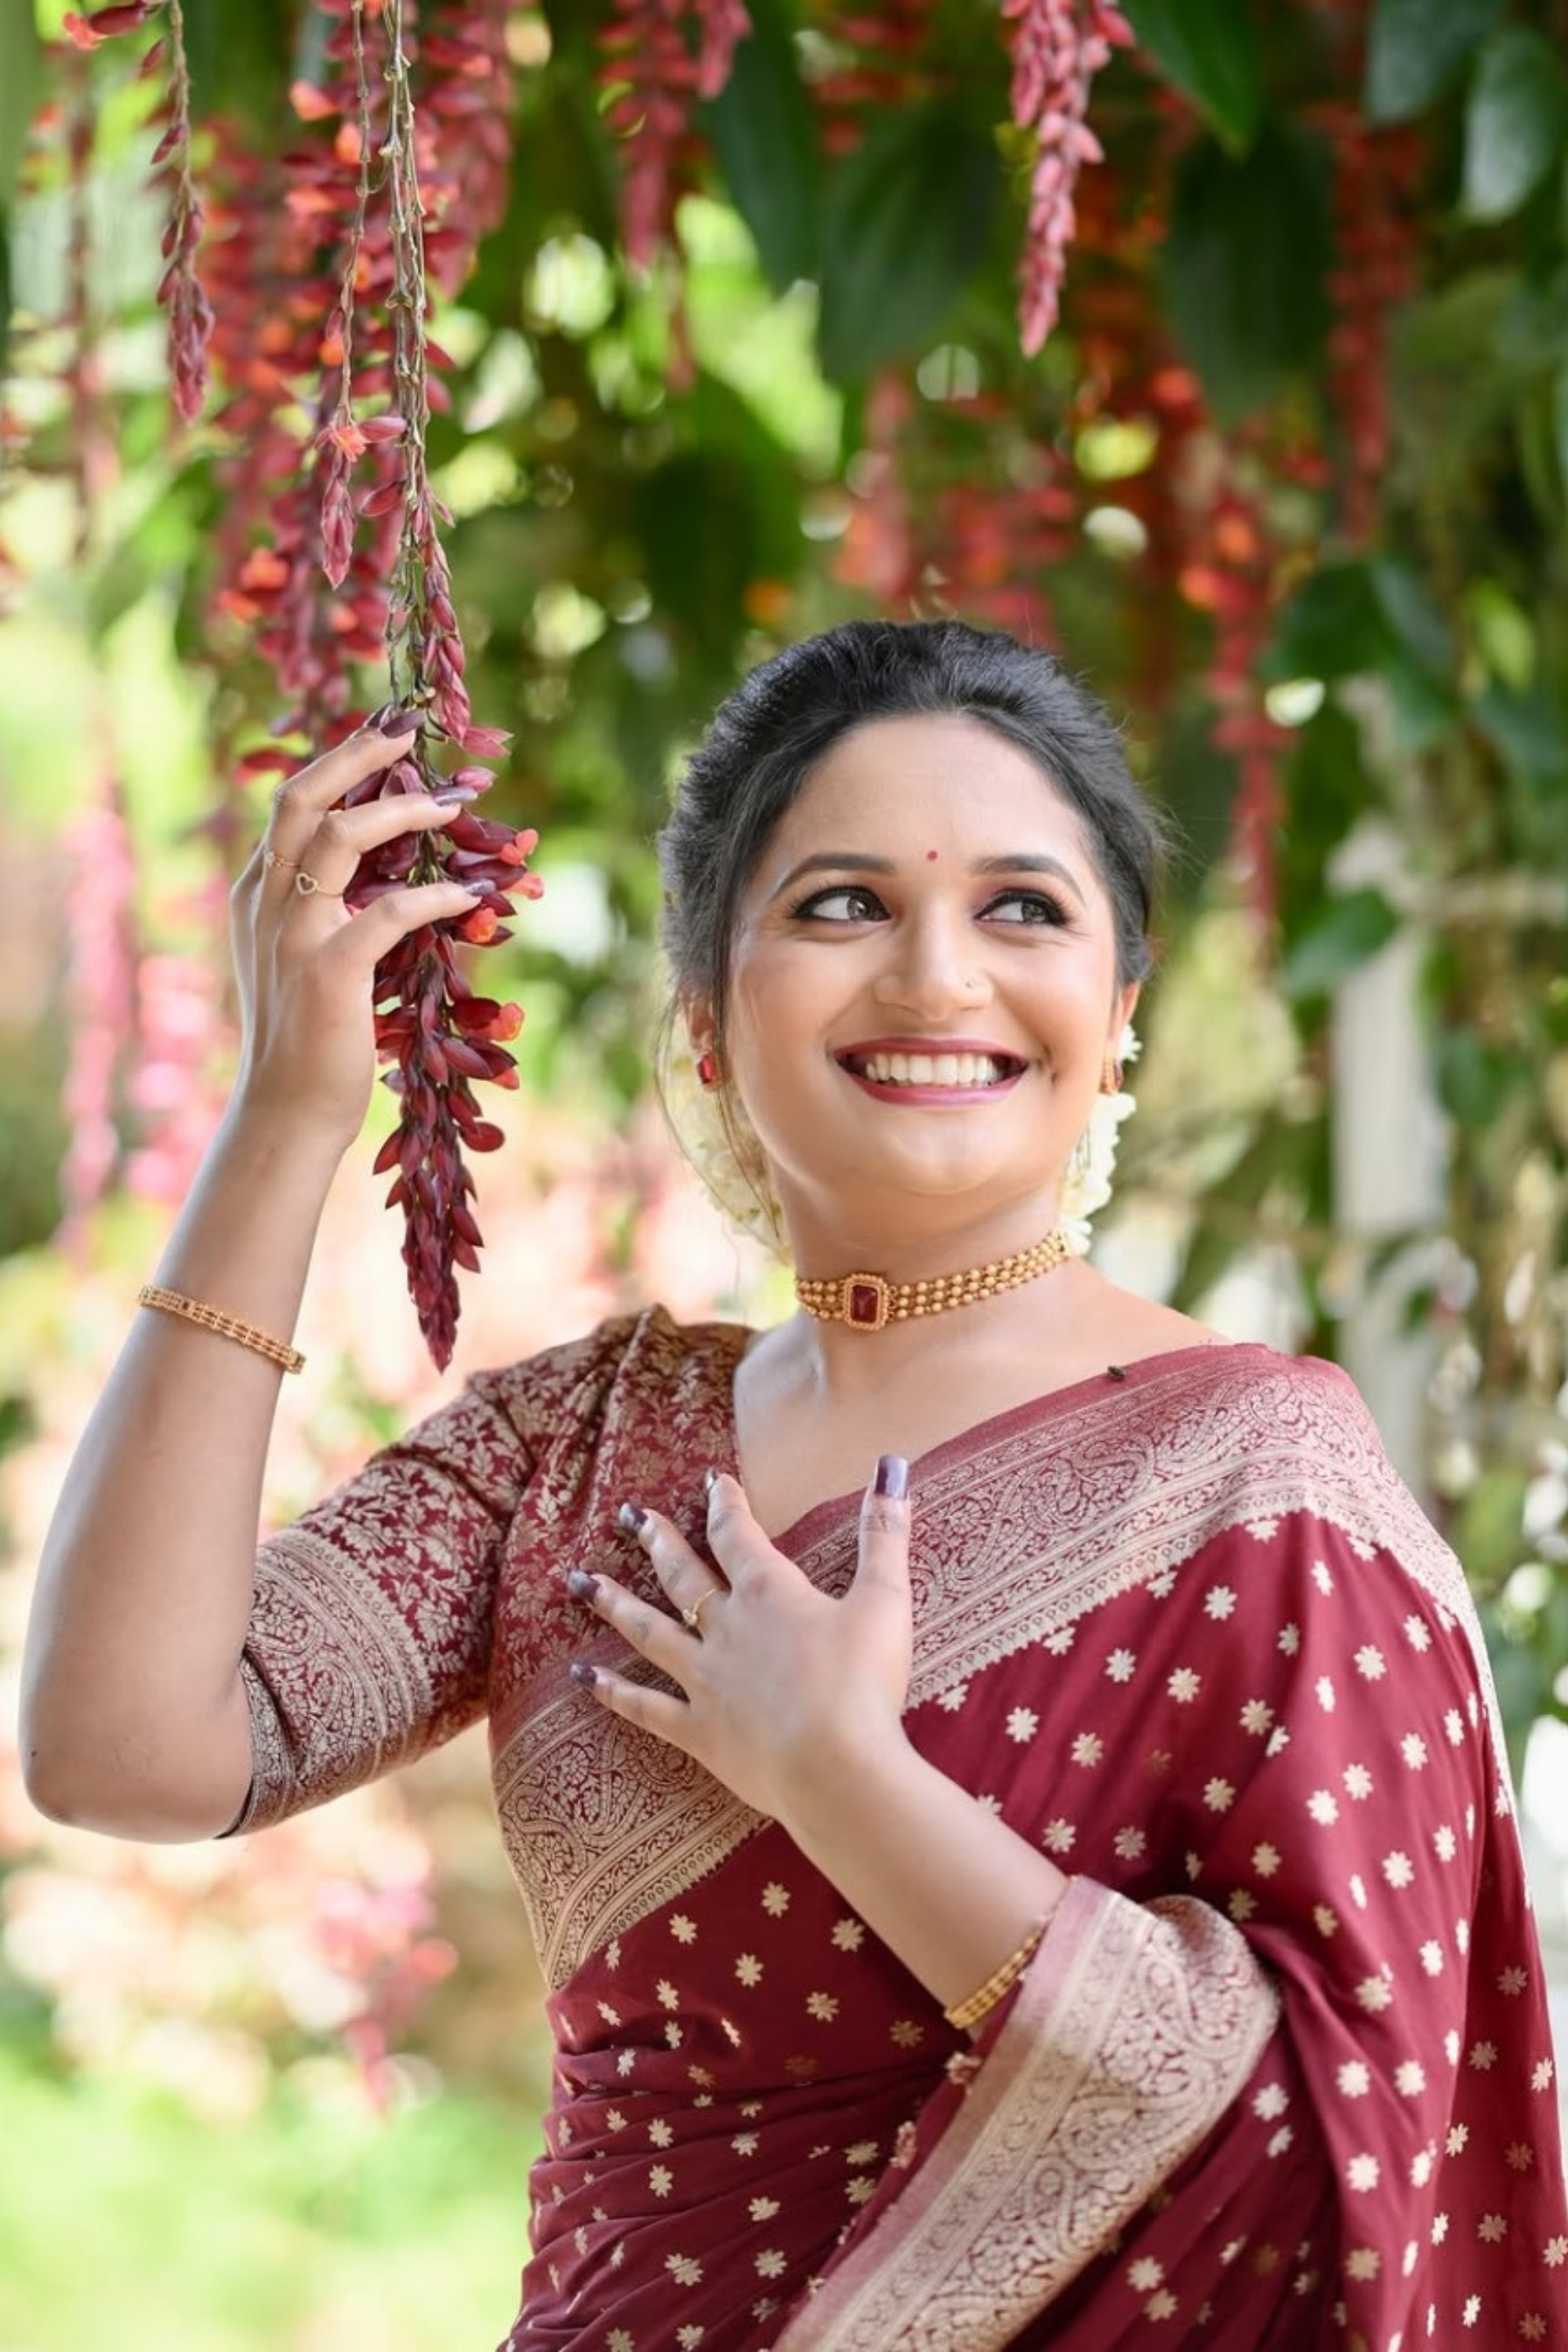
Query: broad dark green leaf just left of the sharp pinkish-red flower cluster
column 909, row 220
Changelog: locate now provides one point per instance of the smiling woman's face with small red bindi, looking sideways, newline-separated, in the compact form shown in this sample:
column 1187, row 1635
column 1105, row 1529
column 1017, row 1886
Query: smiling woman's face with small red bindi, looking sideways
column 923, row 984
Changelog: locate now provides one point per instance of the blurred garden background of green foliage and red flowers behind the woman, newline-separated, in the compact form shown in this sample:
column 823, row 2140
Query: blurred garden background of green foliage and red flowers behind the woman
column 1287, row 483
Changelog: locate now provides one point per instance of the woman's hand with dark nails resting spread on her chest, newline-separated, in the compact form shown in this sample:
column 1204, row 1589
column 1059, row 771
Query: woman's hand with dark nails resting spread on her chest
column 784, row 1685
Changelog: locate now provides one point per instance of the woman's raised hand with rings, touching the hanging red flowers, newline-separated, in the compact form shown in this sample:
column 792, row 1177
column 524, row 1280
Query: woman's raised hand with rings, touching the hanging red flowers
column 304, row 961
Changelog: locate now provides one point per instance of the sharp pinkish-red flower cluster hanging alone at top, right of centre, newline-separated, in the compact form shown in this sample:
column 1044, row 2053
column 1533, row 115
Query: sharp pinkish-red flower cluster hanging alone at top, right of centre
column 1059, row 46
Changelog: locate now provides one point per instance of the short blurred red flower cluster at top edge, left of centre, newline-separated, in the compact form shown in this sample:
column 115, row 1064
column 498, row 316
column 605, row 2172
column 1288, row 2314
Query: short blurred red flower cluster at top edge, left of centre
column 659, row 58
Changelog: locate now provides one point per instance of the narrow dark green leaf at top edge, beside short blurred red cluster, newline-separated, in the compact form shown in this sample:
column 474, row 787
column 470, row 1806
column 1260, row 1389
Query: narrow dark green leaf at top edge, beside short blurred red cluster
column 765, row 138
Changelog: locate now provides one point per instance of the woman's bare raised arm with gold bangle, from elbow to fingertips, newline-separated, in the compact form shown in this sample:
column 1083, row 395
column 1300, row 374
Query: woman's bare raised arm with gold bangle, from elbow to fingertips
column 133, row 1716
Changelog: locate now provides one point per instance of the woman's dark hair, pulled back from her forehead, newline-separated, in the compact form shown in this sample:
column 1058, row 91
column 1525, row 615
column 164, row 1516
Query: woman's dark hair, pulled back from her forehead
column 772, row 733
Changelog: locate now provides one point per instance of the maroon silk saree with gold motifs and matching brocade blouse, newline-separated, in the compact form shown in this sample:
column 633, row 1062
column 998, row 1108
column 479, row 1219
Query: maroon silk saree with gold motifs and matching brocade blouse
column 1280, row 2071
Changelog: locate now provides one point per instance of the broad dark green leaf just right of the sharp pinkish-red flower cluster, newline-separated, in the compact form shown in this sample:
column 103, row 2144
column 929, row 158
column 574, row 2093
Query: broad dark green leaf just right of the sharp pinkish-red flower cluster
column 1245, row 267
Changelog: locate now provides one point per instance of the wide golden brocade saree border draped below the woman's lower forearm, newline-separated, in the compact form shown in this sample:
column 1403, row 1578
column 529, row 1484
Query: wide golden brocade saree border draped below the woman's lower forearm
column 1127, row 2040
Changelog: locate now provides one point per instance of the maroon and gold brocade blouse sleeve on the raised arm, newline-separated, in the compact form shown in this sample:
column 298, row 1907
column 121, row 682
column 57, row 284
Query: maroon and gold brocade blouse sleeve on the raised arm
column 373, row 1617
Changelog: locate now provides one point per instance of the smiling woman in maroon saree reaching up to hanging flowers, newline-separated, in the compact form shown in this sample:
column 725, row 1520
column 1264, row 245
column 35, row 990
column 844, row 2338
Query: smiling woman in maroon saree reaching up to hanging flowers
column 993, row 1904
